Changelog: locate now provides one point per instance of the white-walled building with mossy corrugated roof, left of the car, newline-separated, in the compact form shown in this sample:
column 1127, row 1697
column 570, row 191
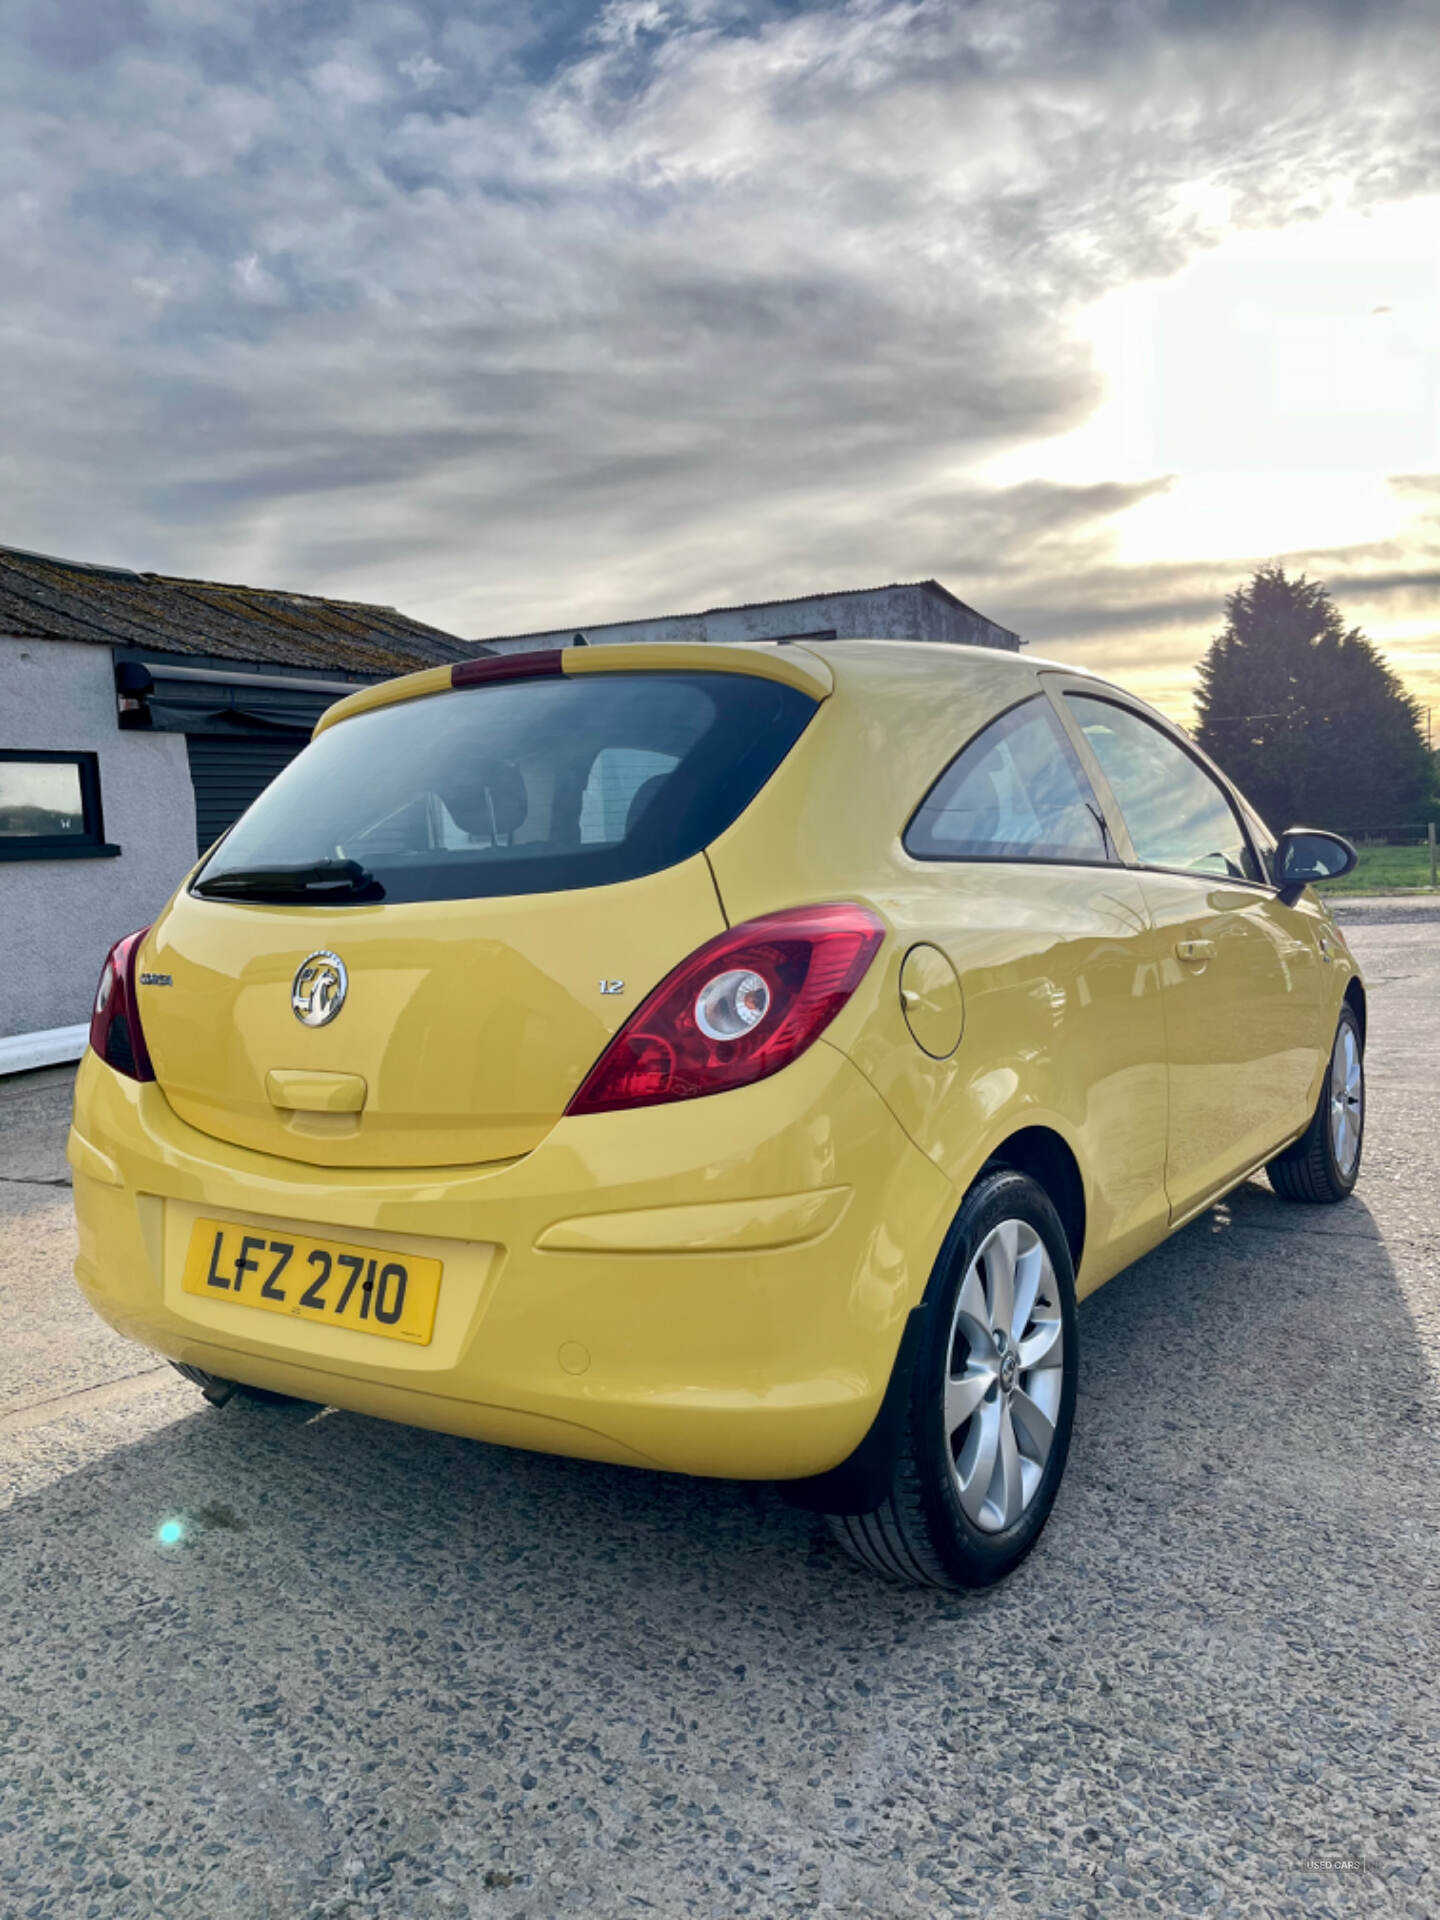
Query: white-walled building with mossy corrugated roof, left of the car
column 139, row 717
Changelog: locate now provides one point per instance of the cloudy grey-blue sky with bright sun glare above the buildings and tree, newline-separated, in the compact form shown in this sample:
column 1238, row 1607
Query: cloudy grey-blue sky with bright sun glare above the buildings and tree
column 537, row 314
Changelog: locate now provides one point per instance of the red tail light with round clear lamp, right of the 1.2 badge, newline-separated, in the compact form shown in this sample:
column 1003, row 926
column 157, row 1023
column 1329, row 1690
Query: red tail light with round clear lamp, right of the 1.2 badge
column 738, row 1011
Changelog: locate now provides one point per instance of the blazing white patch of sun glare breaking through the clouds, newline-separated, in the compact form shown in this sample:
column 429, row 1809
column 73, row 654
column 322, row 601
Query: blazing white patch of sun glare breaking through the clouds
column 1280, row 381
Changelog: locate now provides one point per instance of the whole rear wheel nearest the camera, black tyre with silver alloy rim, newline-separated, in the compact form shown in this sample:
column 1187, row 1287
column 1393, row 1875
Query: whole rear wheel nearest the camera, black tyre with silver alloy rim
column 992, row 1401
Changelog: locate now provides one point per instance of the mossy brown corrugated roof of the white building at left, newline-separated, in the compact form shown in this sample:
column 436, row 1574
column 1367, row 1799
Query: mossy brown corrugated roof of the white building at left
column 45, row 598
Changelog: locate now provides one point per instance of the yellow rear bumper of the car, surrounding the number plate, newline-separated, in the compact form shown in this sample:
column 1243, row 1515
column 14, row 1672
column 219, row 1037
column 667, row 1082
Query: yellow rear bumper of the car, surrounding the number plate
column 715, row 1287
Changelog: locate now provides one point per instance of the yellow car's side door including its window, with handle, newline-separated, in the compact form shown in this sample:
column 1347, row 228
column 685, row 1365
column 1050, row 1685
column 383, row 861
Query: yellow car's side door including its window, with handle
column 1239, row 972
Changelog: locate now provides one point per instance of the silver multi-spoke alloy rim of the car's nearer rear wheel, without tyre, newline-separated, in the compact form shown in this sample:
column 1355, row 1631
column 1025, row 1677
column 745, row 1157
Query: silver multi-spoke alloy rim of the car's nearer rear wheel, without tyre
column 1005, row 1376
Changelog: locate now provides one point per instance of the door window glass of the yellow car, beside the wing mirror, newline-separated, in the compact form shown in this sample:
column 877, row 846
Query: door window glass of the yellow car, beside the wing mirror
column 1174, row 809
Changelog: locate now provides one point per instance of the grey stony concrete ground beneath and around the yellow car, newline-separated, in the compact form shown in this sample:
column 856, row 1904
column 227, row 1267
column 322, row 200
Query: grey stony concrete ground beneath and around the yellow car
column 387, row 1673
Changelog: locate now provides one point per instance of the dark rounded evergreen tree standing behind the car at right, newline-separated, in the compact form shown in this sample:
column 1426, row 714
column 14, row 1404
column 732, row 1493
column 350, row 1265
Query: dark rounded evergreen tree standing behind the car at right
column 1305, row 715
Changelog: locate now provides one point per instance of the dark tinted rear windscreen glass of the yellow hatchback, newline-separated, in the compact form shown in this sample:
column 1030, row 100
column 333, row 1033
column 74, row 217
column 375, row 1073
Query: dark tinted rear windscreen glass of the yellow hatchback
column 529, row 786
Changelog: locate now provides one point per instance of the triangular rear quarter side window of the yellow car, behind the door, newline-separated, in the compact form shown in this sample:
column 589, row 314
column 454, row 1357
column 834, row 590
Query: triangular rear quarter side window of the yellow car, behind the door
column 1015, row 794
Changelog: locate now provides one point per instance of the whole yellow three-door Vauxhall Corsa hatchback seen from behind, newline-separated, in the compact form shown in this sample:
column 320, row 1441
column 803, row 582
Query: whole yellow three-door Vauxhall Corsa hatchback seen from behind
column 734, row 1061
